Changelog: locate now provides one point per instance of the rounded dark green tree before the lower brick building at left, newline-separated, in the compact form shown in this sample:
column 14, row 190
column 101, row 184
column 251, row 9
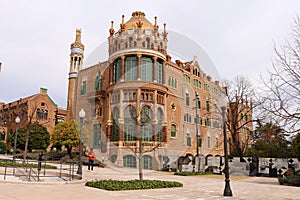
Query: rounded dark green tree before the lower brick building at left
column 39, row 137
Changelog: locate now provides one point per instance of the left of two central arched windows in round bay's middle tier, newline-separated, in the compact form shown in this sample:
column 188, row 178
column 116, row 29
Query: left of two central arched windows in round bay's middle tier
column 130, row 124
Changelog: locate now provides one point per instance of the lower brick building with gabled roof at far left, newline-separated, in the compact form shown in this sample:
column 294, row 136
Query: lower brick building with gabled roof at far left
column 38, row 107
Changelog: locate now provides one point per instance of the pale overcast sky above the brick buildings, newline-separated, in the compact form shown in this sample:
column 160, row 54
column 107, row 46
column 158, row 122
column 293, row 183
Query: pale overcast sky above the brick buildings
column 35, row 36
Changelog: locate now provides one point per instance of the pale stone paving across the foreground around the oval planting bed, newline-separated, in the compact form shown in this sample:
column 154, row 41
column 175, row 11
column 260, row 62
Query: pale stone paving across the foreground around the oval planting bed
column 200, row 187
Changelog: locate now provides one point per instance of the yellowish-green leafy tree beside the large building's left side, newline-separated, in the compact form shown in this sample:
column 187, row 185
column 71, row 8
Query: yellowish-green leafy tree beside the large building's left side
column 65, row 134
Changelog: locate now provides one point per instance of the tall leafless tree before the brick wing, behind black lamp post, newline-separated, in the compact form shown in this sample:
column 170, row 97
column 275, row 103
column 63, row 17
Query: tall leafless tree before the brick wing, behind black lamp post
column 239, row 93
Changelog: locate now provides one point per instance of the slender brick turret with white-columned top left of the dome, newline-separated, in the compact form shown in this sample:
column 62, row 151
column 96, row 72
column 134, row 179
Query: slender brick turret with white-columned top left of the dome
column 76, row 60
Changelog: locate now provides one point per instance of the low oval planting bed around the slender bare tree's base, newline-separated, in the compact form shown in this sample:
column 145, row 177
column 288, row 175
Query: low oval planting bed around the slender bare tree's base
column 116, row 185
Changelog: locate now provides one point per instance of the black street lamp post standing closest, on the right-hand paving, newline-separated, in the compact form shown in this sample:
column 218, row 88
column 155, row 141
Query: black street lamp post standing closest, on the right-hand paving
column 227, row 190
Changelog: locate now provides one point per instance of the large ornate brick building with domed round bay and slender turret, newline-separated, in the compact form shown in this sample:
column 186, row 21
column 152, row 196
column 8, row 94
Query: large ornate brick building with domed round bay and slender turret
column 140, row 92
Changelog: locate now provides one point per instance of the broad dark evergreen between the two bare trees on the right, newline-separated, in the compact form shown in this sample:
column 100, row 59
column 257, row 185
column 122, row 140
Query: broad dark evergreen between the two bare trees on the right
column 269, row 141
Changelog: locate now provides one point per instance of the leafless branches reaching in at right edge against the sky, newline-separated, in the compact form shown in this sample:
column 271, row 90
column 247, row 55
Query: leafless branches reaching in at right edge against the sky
column 281, row 95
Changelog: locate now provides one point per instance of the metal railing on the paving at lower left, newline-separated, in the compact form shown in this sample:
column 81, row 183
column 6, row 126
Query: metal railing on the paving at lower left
column 64, row 171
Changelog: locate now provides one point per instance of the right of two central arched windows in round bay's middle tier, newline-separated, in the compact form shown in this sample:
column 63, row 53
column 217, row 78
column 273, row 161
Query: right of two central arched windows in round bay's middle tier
column 146, row 124
